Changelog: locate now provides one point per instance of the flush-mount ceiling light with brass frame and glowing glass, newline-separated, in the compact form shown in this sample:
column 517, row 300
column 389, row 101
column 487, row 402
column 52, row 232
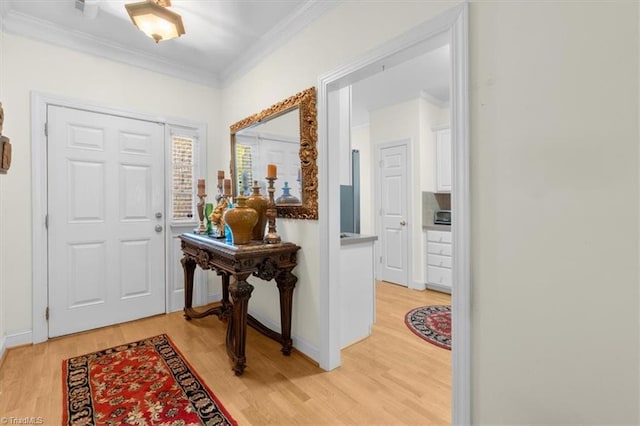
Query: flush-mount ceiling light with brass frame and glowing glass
column 154, row 19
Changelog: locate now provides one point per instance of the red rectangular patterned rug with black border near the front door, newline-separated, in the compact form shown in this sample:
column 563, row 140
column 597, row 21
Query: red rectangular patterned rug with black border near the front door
column 141, row 383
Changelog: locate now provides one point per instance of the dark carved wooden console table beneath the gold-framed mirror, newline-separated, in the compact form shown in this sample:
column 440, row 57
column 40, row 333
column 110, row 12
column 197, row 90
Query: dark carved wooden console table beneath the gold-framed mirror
column 266, row 261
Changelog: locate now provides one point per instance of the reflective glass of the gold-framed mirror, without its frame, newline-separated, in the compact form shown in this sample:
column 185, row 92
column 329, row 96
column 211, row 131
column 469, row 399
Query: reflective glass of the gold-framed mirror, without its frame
column 275, row 141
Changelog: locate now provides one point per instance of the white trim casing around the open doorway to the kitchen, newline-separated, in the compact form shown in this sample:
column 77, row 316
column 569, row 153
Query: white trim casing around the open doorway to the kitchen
column 452, row 25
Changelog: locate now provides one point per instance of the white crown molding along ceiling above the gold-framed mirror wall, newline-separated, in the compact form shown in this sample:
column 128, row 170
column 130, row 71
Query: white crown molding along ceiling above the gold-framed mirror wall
column 275, row 38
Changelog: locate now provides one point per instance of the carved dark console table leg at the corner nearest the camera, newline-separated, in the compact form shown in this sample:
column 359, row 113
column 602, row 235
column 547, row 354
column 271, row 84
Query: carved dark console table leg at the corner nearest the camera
column 240, row 291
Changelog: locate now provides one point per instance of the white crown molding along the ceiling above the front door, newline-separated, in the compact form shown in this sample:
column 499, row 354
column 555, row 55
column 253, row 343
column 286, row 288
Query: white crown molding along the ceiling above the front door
column 17, row 23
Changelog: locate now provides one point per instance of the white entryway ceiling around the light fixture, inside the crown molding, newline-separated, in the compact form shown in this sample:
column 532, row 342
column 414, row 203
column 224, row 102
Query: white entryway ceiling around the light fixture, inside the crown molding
column 223, row 37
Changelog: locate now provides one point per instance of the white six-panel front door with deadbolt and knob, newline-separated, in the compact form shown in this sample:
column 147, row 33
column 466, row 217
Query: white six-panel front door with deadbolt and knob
column 106, row 219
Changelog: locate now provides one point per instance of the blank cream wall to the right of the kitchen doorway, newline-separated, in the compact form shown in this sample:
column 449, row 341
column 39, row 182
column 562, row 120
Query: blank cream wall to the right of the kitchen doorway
column 554, row 149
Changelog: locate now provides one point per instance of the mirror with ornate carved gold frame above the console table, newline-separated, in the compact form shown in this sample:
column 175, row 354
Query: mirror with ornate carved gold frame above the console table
column 286, row 135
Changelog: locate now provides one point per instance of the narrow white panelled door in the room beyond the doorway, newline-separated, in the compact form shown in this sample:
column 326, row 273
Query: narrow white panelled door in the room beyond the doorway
column 393, row 212
